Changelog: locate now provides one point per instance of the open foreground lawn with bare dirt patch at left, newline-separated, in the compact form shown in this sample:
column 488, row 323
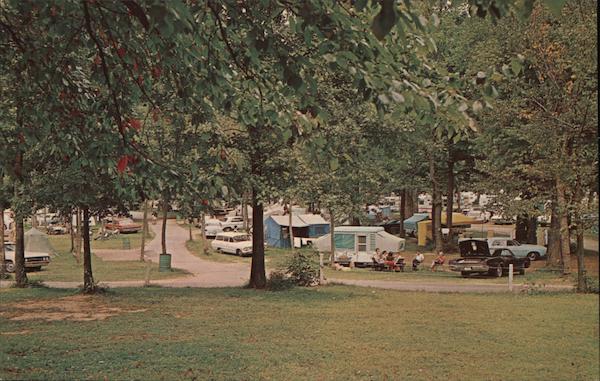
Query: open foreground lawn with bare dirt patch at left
column 328, row 333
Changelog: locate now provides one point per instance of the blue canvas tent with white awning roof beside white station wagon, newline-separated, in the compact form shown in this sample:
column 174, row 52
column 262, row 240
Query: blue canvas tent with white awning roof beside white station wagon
column 304, row 227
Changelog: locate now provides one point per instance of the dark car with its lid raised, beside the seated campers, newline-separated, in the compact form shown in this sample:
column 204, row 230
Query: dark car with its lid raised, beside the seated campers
column 476, row 258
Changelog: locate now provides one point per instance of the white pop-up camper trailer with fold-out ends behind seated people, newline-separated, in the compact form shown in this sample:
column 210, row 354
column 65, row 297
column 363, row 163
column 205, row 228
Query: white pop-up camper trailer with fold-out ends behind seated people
column 358, row 243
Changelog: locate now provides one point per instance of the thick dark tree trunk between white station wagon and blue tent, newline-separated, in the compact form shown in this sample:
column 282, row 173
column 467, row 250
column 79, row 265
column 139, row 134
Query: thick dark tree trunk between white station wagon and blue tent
column 258, row 278
